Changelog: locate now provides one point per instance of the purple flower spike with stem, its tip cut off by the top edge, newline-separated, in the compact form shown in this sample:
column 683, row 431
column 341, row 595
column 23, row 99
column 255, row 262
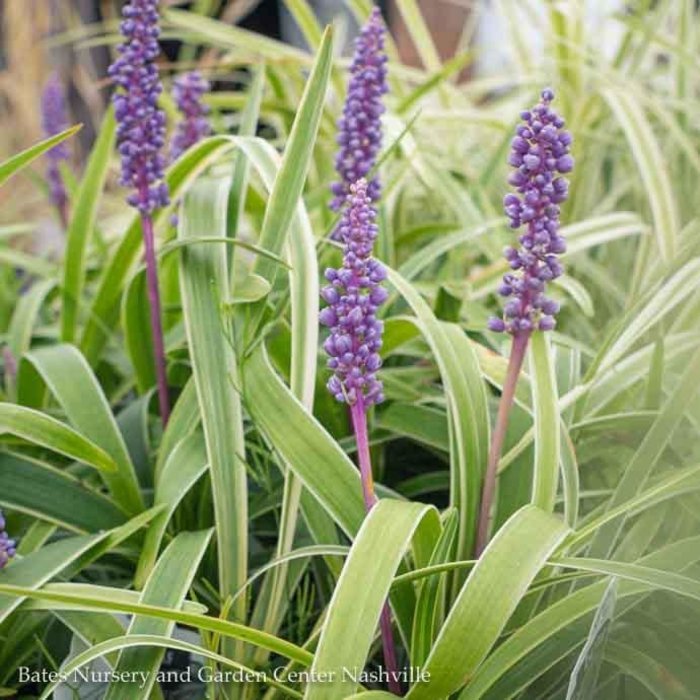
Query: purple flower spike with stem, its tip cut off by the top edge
column 141, row 137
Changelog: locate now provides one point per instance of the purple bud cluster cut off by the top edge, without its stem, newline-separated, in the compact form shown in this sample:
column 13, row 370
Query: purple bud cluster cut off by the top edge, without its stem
column 141, row 125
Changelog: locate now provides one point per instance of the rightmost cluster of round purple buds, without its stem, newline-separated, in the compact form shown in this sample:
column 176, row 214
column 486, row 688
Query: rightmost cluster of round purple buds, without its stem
column 539, row 154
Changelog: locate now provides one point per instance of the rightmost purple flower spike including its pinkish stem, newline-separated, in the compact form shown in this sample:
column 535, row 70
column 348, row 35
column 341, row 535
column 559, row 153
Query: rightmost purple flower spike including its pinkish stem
column 540, row 155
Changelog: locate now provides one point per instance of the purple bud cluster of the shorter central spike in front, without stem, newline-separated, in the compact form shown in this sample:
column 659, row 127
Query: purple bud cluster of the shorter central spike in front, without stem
column 353, row 296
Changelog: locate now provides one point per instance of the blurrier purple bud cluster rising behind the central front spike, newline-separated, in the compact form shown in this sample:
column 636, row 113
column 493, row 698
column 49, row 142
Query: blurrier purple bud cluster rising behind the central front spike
column 360, row 130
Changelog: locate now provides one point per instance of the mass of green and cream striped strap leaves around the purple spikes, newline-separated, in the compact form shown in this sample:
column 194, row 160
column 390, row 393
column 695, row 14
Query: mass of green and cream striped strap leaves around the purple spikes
column 242, row 518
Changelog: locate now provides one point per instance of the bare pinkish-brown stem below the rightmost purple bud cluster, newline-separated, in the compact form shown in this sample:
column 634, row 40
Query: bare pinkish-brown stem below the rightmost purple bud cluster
column 517, row 356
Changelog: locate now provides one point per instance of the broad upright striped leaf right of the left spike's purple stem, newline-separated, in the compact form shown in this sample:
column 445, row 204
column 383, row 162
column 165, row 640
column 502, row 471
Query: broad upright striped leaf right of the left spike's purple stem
column 203, row 283
